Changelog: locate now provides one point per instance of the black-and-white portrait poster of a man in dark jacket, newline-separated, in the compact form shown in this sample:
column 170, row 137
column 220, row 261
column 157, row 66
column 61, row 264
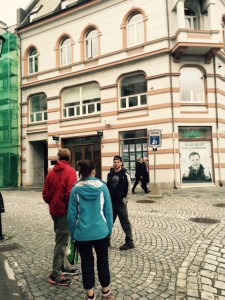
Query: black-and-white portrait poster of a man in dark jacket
column 196, row 162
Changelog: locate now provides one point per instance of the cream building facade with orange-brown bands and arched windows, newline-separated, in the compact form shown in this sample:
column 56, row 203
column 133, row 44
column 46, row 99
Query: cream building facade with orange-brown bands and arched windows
column 102, row 77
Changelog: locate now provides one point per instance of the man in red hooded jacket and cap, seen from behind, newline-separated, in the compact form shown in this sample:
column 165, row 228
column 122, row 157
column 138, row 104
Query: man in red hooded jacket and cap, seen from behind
column 56, row 193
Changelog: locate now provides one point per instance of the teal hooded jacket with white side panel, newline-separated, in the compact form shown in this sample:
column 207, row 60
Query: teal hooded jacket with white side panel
column 90, row 214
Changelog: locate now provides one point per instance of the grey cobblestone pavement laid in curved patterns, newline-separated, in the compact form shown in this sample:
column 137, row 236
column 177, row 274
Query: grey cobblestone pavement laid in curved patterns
column 173, row 258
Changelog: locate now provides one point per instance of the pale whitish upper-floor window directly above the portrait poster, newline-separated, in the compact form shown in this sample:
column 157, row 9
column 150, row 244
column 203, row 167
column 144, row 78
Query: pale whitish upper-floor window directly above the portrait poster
column 191, row 85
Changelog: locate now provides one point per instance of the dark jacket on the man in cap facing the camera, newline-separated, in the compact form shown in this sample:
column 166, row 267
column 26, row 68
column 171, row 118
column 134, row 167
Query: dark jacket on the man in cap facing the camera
column 118, row 184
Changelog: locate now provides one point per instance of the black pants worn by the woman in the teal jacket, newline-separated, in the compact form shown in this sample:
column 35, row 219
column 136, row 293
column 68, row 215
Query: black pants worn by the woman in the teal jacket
column 87, row 262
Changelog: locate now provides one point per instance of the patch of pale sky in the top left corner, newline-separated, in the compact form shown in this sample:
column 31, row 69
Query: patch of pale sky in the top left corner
column 9, row 8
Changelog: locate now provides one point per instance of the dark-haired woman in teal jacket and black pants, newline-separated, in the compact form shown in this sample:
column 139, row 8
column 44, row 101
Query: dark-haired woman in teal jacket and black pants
column 90, row 221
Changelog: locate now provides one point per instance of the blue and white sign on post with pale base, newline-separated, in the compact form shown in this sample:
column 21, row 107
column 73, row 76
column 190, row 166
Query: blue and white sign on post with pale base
column 155, row 141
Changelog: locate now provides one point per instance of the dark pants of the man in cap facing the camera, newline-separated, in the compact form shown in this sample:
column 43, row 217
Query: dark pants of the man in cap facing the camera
column 120, row 210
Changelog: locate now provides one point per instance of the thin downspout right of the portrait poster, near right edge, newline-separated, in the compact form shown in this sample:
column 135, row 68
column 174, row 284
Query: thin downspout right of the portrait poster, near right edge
column 217, row 120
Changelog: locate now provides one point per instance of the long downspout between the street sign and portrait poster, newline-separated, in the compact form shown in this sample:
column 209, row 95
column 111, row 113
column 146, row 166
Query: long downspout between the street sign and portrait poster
column 171, row 98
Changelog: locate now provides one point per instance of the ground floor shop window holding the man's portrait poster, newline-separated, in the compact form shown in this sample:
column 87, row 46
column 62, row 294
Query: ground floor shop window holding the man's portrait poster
column 195, row 154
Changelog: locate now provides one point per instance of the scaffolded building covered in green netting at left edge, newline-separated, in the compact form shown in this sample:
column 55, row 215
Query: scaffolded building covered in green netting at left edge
column 9, row 112
